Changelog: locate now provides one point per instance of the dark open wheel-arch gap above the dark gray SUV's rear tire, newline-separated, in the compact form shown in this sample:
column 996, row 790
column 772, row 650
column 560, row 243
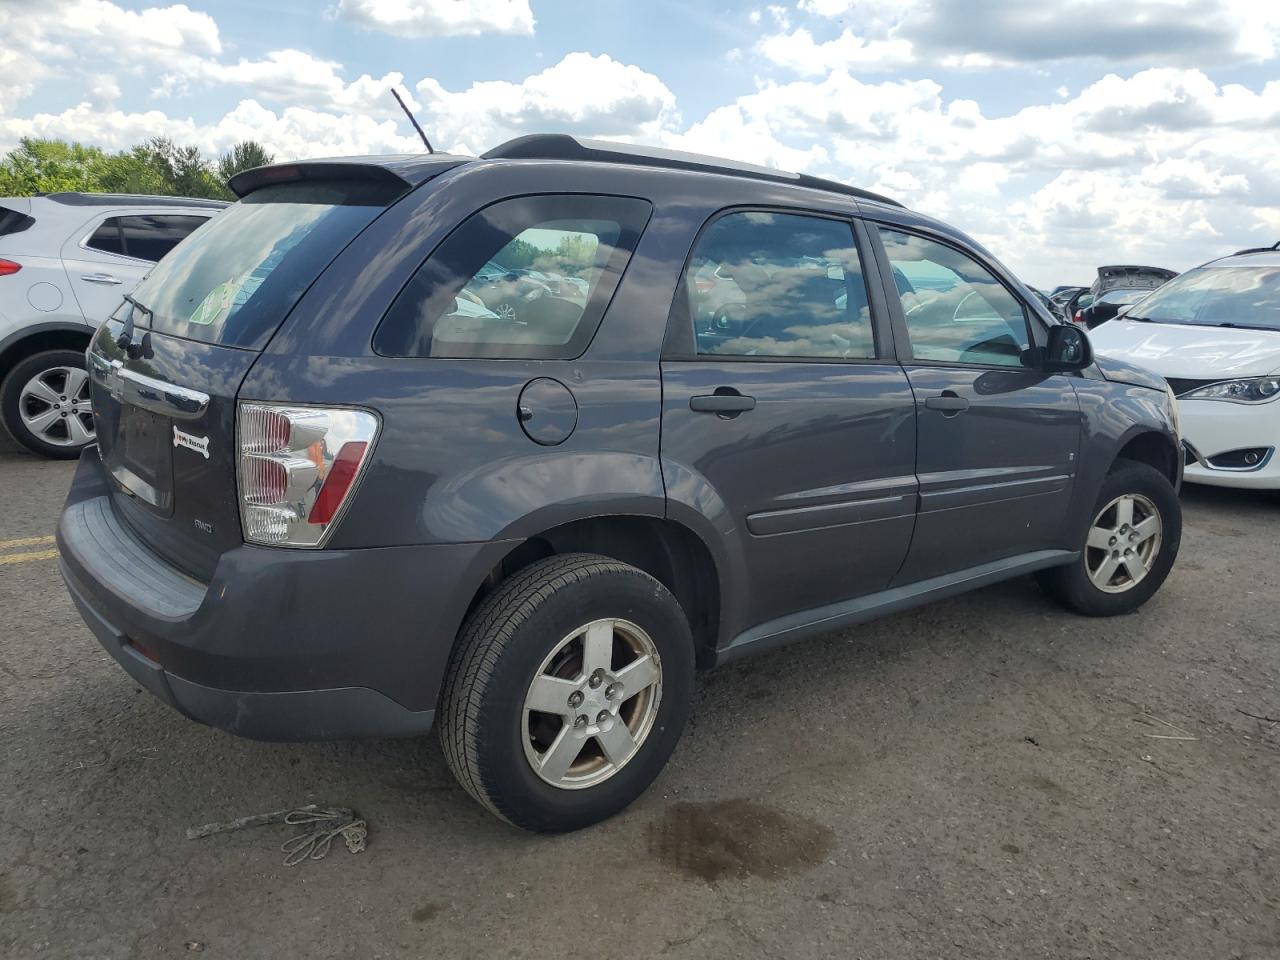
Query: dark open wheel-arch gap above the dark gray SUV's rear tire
column 670, row 552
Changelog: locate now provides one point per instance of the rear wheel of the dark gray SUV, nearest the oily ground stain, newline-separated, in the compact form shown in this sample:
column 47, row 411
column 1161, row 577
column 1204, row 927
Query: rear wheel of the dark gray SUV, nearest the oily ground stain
column 568, row 692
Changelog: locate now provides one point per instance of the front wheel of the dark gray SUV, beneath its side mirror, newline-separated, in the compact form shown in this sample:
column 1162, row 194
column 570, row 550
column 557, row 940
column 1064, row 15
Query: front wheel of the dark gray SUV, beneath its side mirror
column 1128, row 548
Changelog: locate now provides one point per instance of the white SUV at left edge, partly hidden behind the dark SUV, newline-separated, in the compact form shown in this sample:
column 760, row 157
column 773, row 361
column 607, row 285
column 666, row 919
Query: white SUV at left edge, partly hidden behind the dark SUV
column 66, row 263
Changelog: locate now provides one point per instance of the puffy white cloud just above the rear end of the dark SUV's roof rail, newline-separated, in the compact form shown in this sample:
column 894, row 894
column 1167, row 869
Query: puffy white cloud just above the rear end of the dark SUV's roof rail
column 595, row 97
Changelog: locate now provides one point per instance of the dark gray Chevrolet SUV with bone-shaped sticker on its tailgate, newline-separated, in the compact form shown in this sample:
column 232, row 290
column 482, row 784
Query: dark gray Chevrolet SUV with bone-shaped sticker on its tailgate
column 337, row 493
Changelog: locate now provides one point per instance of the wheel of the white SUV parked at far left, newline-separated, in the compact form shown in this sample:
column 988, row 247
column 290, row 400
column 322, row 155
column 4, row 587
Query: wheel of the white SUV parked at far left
column 45, row 404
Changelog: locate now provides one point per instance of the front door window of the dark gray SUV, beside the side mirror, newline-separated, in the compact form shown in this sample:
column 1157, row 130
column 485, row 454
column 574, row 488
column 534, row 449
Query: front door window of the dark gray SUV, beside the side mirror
column 957, row 310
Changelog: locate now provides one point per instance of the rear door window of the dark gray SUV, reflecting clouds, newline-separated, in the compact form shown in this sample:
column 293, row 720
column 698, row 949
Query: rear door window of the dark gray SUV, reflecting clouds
column 767, row 285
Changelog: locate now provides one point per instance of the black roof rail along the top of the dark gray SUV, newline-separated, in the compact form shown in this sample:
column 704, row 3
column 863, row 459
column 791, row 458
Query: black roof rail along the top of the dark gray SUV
column 561, row 147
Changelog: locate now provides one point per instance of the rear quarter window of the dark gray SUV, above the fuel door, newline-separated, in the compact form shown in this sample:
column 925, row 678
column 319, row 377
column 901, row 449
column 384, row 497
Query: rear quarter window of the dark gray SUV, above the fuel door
column 525, row 278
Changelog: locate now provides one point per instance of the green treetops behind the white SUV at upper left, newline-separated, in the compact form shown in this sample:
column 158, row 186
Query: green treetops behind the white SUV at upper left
column 158, row 167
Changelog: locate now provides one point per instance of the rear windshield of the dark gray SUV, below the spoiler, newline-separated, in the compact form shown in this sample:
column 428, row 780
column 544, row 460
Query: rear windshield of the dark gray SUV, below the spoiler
column 236, row 280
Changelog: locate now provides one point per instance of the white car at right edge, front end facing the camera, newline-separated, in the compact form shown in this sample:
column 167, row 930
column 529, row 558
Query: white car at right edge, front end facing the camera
column 1214, row 335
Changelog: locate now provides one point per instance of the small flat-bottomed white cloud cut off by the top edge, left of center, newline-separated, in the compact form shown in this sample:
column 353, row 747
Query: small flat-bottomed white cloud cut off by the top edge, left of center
column 440, row 19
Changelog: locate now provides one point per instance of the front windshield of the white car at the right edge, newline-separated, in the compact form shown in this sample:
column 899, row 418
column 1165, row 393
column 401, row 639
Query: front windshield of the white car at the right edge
column 1217, row 296
